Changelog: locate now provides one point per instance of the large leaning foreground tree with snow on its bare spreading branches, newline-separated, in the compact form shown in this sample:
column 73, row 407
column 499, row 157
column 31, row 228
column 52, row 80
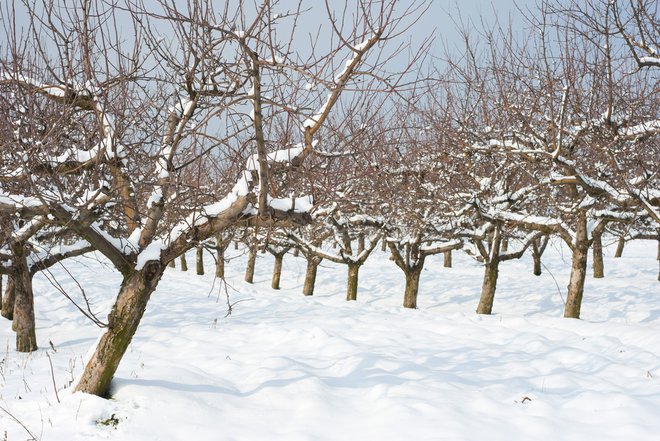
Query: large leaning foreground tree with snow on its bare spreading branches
column 194, row 82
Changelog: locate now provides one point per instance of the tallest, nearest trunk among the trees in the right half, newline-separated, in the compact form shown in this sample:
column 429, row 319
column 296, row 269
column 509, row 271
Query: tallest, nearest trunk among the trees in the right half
column 578, row 270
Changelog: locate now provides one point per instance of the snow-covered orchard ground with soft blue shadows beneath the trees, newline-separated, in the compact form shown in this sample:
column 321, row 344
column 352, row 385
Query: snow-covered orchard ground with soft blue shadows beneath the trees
column 286, row 367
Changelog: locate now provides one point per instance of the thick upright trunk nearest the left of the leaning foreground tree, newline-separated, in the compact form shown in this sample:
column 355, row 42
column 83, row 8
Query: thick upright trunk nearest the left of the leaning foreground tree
column 24, row 323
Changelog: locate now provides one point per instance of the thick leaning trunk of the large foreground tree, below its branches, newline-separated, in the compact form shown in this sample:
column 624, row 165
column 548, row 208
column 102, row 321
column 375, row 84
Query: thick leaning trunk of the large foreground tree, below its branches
column 123, row 321
